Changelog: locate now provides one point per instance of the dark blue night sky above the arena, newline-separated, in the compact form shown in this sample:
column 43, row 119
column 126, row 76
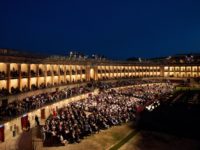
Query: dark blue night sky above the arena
column 117, row 29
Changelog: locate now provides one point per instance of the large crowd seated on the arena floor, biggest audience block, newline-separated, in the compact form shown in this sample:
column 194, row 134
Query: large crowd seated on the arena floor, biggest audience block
column 109, row 108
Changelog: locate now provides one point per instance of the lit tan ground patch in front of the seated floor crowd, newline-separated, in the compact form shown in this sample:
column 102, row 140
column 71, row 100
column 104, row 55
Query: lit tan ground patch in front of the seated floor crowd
column 105, row 139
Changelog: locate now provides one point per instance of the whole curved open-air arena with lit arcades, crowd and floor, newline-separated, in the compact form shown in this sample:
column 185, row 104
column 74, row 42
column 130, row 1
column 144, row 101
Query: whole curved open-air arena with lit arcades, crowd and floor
column 76, row 103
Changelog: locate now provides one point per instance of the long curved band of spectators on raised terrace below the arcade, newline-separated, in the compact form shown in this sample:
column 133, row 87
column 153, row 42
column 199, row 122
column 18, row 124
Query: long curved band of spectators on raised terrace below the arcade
column 19, row 107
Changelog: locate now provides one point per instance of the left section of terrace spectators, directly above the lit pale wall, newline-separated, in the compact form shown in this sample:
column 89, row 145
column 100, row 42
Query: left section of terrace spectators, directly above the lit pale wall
column 17, row 108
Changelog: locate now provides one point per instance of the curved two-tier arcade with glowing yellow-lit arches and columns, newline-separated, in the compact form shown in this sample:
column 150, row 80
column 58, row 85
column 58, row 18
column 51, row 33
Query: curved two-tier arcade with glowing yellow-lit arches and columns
column 22, row 74
